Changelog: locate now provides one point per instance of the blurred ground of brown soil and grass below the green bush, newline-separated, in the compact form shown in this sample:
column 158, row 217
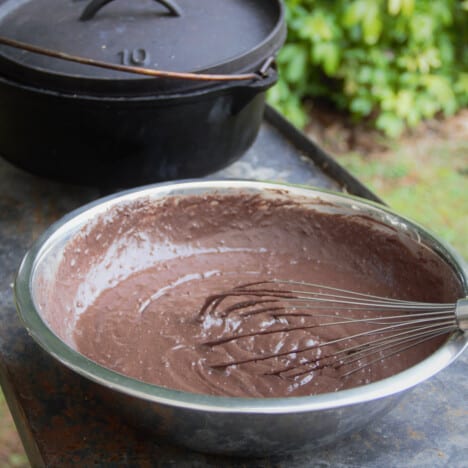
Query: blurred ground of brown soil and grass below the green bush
column 423, row 175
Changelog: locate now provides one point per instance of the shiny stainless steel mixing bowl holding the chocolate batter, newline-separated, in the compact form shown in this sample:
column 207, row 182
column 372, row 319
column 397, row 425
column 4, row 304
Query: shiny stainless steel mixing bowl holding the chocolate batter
column 235, row 426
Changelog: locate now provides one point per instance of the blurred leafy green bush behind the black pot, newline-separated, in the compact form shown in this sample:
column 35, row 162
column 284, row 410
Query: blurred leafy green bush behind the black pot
column 395, row 62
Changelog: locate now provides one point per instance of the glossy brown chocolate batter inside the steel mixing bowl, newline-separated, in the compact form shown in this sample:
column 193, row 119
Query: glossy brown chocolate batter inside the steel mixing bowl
column 134, row 281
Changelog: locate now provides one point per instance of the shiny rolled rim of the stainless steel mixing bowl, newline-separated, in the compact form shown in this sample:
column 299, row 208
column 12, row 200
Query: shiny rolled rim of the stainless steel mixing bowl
column 58, row 349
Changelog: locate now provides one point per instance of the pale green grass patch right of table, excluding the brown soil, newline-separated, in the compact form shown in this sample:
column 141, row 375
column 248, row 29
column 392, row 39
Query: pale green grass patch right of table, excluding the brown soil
column 427, row 183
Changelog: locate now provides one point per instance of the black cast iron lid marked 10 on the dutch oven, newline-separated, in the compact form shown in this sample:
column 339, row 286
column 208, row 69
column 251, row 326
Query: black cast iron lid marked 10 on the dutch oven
column 208, row 36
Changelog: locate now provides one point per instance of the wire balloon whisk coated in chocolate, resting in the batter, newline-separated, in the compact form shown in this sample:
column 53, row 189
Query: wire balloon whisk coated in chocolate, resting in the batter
column 390, row 326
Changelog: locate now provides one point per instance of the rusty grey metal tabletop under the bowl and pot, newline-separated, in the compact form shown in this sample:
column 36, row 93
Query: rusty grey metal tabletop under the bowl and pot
column 62, row 421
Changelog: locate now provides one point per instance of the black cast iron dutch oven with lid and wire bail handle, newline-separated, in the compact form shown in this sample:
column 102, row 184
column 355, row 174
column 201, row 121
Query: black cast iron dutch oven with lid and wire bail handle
column 86, row 124
